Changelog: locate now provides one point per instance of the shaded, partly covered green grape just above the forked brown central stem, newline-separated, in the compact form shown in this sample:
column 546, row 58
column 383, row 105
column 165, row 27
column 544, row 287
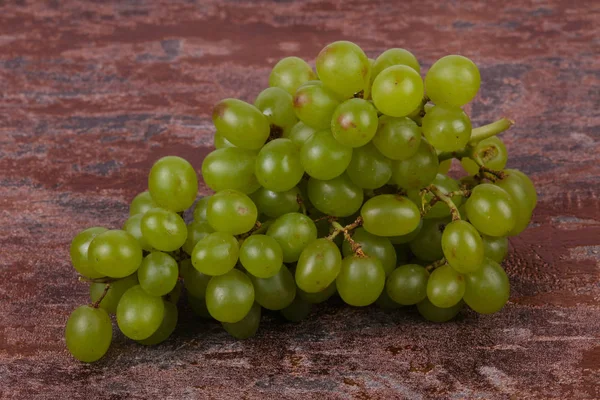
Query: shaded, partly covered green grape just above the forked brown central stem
column 338, row 197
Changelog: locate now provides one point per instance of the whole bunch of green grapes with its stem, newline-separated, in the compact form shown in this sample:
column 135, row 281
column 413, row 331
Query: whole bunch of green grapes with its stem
column 330, row 183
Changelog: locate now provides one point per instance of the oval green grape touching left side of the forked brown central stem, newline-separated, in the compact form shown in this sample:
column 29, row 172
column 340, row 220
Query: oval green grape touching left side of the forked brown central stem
column 318, row 266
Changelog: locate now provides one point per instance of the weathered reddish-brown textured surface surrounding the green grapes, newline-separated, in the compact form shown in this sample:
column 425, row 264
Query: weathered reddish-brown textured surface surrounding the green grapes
column 91, row 93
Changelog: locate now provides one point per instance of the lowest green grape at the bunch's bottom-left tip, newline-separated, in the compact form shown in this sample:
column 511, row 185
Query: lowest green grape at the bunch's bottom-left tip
column 88, row 333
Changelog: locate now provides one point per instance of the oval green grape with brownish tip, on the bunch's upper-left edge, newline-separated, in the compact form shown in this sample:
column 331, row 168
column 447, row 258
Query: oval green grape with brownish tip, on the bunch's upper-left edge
column 241, row 123
